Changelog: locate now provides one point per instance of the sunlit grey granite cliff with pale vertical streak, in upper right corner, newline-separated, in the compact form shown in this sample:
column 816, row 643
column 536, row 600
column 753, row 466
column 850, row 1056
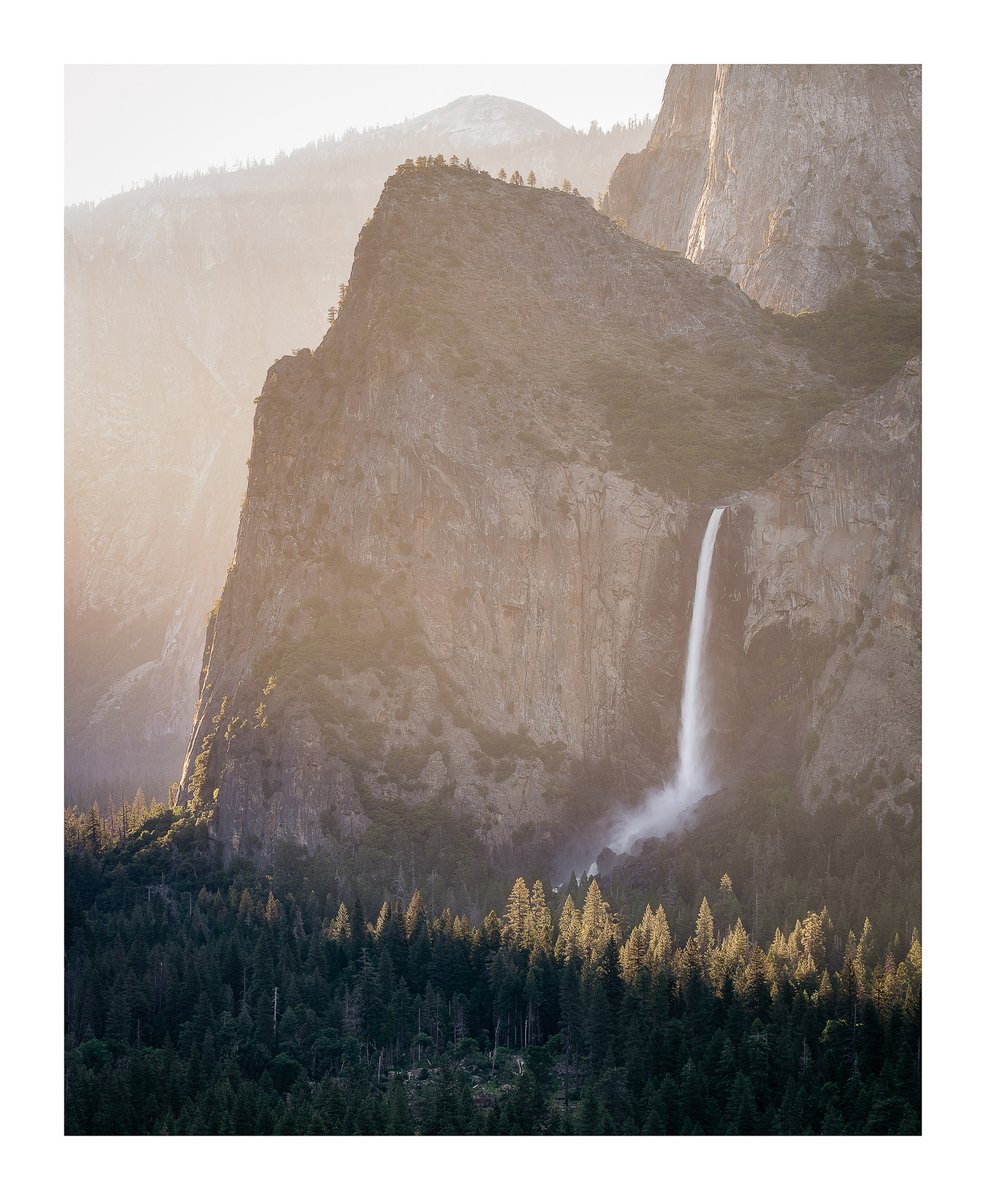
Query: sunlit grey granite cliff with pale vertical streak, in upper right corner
column 789, row 181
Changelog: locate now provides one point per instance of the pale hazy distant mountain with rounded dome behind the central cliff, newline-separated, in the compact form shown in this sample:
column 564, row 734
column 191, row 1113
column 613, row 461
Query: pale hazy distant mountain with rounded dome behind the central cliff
column 178, row 298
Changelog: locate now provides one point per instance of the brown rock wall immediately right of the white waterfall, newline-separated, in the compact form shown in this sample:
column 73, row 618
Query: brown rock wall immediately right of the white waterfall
column 829, row 685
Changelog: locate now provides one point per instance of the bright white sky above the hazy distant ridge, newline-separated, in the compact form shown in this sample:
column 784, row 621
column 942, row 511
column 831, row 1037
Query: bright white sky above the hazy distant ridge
column 128, row 124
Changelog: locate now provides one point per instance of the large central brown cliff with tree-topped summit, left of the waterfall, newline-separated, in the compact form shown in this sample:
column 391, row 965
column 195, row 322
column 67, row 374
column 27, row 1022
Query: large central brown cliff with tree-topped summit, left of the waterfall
column 465, row 562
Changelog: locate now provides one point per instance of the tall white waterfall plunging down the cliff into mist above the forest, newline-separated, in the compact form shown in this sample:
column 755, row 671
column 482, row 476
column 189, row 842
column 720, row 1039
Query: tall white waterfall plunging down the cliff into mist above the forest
column 693, row 781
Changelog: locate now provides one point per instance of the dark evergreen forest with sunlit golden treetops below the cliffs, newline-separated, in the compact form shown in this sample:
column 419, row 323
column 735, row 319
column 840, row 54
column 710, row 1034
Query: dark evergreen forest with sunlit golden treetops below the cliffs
column 211, row 1000
